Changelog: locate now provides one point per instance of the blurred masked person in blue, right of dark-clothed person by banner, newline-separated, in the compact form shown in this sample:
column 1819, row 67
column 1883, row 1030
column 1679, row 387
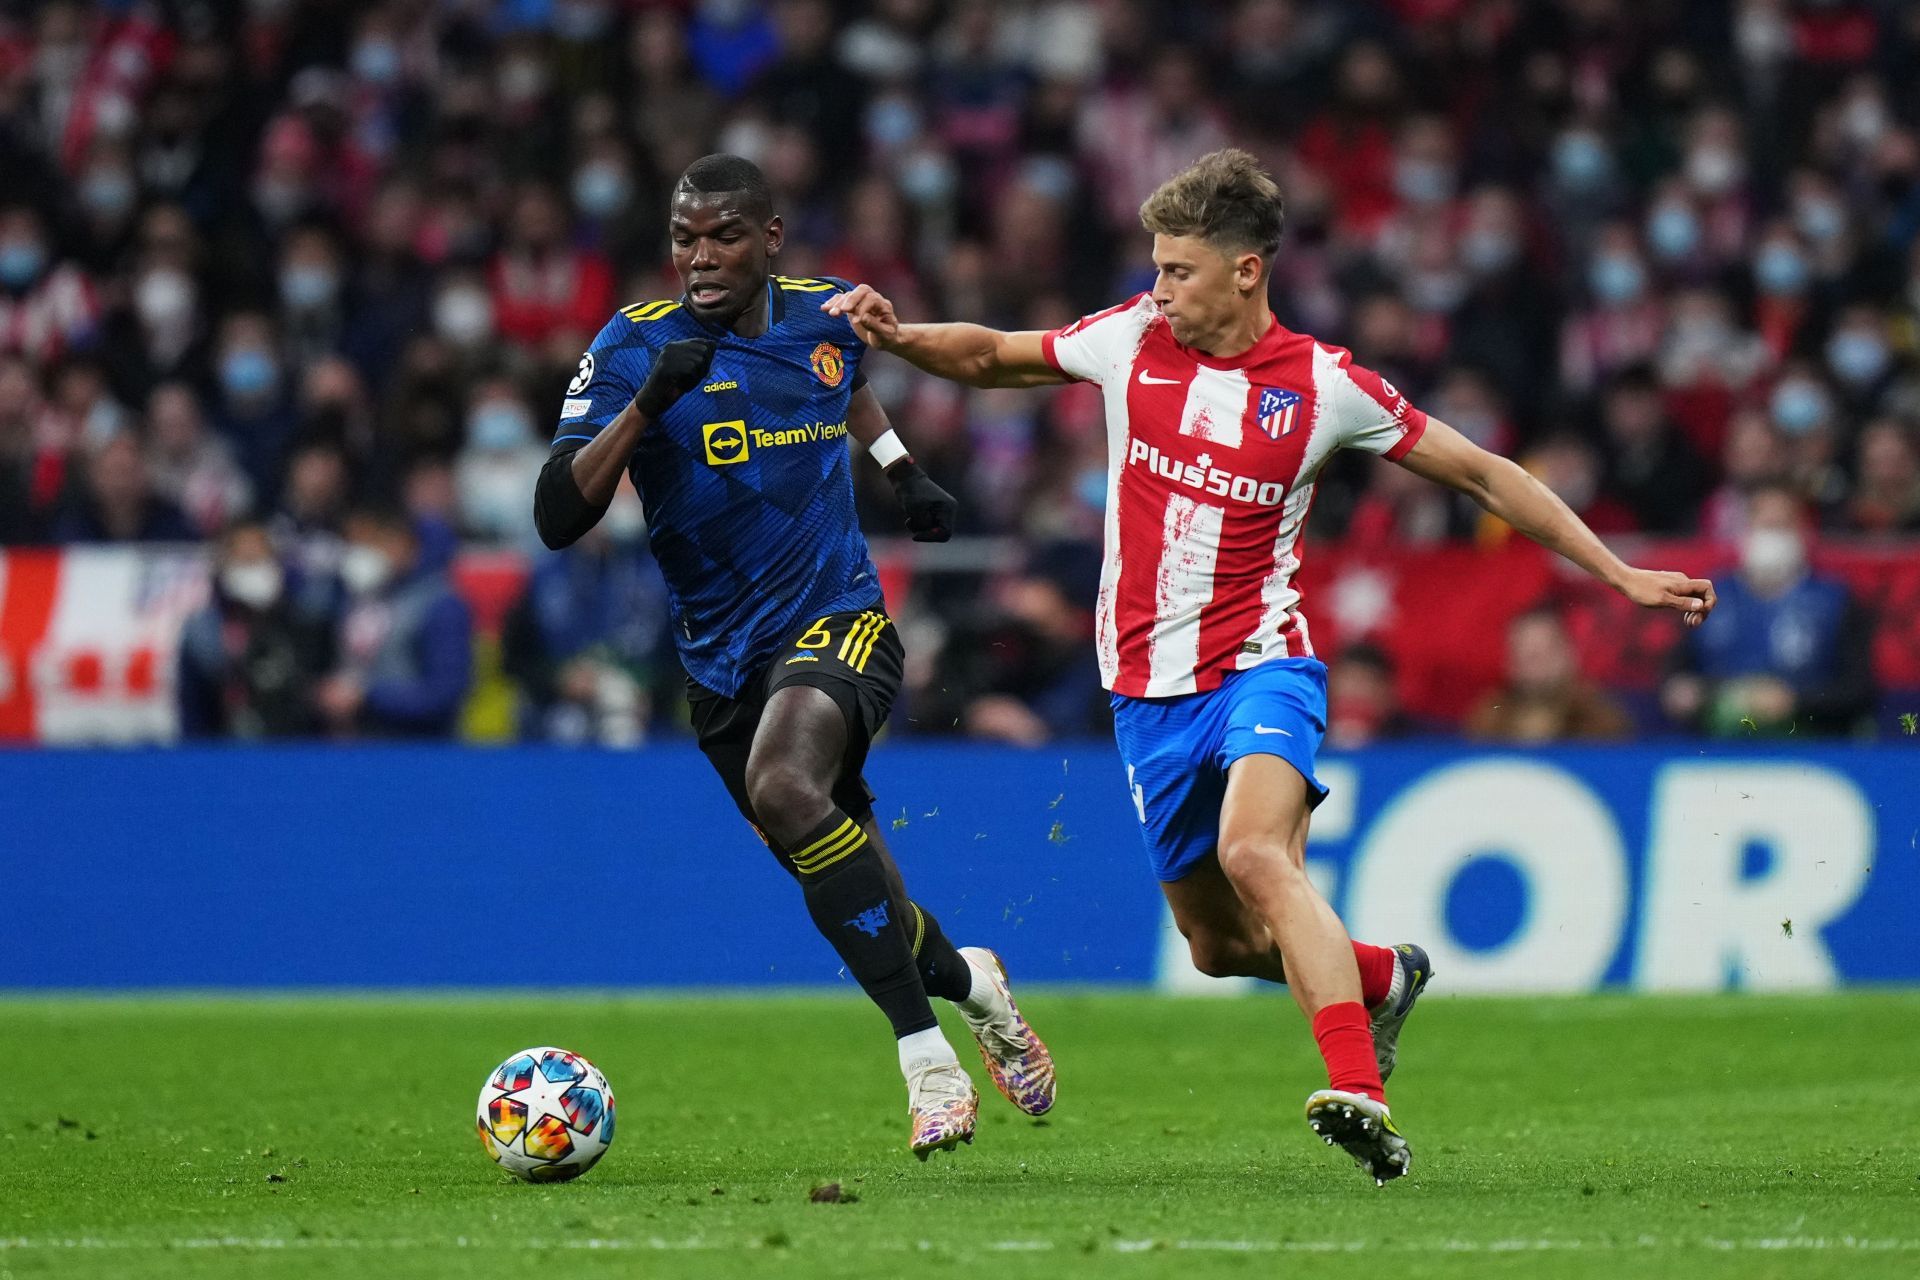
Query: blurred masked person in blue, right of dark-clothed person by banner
column 404, row 642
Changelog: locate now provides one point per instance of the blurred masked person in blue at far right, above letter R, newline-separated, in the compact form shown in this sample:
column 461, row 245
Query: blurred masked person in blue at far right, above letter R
column 1787, row 650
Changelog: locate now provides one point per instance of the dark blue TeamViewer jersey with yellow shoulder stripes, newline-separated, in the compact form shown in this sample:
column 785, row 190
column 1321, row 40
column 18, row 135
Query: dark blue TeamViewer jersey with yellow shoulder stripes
column 748, row 479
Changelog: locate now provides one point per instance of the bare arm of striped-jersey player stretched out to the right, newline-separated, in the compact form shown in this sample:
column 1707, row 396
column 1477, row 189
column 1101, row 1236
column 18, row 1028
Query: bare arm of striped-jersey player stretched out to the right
column 1506, row 490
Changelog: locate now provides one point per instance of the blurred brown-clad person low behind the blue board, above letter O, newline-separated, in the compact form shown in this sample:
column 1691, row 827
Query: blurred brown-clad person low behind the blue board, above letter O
column 1545, row 698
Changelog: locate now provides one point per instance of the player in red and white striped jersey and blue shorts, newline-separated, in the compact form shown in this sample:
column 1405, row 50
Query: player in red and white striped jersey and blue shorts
column 1218, row 423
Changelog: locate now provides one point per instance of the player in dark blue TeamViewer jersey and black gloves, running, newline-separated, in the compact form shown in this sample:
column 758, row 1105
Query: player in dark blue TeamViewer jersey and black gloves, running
column 731, row 410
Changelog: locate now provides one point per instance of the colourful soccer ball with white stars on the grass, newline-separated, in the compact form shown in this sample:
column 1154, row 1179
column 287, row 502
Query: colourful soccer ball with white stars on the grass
column 546, row 1116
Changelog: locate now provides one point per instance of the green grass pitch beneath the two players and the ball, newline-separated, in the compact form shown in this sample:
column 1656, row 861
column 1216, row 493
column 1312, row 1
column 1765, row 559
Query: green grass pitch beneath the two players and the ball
column 333, row 1137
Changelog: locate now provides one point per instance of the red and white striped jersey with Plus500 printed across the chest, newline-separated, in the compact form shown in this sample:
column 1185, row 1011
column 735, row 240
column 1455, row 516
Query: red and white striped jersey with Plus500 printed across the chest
column 1211, row 477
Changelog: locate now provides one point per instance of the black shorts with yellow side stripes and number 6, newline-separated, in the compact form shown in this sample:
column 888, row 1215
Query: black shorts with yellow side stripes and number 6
column 853, row 657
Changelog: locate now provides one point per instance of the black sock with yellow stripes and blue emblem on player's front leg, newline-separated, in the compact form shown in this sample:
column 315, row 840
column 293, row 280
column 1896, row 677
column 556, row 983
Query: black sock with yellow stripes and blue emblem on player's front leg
column 848, row 895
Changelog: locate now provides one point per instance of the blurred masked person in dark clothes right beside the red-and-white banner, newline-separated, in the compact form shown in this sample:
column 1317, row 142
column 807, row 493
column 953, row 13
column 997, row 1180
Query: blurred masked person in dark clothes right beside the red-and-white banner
column 251, row 659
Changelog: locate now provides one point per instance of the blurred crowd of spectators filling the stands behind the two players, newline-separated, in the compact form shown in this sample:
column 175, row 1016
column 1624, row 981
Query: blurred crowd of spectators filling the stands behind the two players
column 304, row 279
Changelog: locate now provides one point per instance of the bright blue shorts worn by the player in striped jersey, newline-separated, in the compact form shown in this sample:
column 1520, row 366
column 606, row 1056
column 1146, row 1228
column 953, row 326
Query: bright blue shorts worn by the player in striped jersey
column 1178, row 751
